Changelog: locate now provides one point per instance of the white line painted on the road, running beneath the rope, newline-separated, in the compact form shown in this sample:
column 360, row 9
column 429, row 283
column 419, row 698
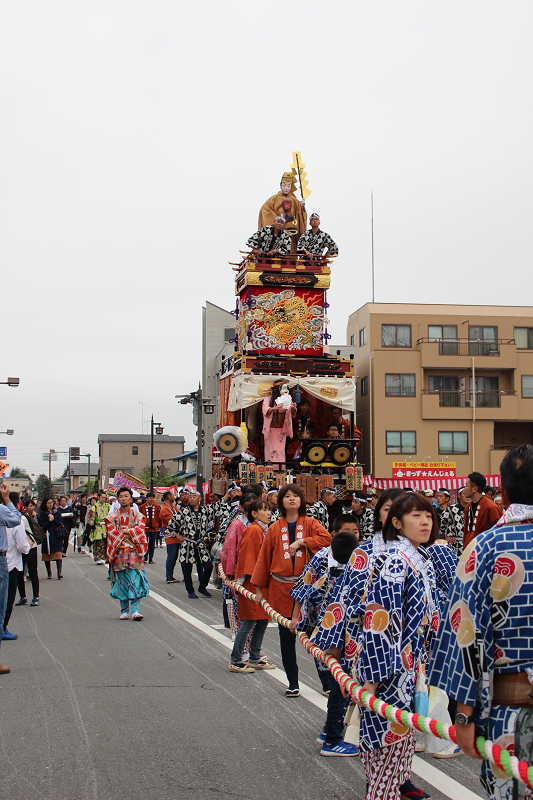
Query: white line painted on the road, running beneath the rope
column 430, row 774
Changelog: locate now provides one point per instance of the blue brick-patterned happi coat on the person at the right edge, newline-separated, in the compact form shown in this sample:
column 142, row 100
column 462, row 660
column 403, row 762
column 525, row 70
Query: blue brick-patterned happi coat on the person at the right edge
column 487, row 629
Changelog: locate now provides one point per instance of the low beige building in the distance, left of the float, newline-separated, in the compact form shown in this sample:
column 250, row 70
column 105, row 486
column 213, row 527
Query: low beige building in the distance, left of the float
column 131, row 453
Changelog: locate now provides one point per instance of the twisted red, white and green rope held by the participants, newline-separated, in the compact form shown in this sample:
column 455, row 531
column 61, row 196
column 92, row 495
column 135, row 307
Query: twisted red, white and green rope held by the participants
column 509, row 764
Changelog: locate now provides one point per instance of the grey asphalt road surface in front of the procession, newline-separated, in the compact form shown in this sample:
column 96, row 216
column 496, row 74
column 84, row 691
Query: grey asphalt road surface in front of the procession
column 99, row 709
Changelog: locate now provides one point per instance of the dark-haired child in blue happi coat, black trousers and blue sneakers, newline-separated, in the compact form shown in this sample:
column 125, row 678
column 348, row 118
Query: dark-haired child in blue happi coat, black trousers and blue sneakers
column 310, row 601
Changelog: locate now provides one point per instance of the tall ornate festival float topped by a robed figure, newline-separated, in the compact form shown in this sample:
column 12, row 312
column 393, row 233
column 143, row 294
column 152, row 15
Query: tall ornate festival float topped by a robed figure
column 285, row 389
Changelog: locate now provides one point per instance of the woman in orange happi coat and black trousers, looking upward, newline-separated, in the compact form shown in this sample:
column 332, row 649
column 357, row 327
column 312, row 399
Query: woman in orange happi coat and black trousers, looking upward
column 289, row 545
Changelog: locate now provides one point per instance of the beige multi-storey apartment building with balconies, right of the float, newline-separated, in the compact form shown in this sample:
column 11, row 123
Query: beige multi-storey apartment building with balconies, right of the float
column 442, row 383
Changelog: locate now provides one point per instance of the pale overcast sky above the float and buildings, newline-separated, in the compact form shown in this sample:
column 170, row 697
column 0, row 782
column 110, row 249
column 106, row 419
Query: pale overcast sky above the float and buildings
column 138, row 141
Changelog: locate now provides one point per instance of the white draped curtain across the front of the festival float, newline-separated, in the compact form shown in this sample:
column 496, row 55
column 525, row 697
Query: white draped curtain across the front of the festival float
column 247, row 389
